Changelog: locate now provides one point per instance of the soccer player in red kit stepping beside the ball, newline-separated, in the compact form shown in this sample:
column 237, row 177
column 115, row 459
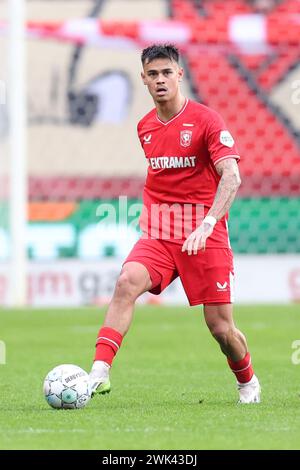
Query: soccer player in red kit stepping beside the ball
column 192, row 165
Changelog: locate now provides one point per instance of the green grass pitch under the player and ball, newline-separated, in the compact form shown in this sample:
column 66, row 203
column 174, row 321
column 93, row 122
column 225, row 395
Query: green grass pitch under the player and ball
column 172, row 388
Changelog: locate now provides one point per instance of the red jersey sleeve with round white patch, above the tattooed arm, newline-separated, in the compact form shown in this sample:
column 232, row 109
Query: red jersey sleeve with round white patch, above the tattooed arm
column 220, row 142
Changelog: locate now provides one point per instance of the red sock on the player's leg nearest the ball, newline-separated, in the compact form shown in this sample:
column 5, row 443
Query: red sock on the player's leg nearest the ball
column 107, row 345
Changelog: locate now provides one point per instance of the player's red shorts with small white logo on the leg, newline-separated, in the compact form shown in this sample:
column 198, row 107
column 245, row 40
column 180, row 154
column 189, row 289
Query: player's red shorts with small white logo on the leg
column 206, row 277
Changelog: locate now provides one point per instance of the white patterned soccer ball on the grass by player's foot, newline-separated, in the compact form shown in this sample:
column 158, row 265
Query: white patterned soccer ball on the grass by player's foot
column 67, row 386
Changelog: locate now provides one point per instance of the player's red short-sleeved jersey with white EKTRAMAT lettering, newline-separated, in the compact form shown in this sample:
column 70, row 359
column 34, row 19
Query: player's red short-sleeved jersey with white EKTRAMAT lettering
column 182, row 154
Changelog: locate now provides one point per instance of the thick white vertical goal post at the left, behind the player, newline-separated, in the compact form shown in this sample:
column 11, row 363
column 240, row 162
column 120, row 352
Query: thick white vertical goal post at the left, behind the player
column 17, row 151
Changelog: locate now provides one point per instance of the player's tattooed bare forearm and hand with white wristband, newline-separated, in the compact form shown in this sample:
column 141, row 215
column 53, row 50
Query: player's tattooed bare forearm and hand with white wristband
column 227, row 189
